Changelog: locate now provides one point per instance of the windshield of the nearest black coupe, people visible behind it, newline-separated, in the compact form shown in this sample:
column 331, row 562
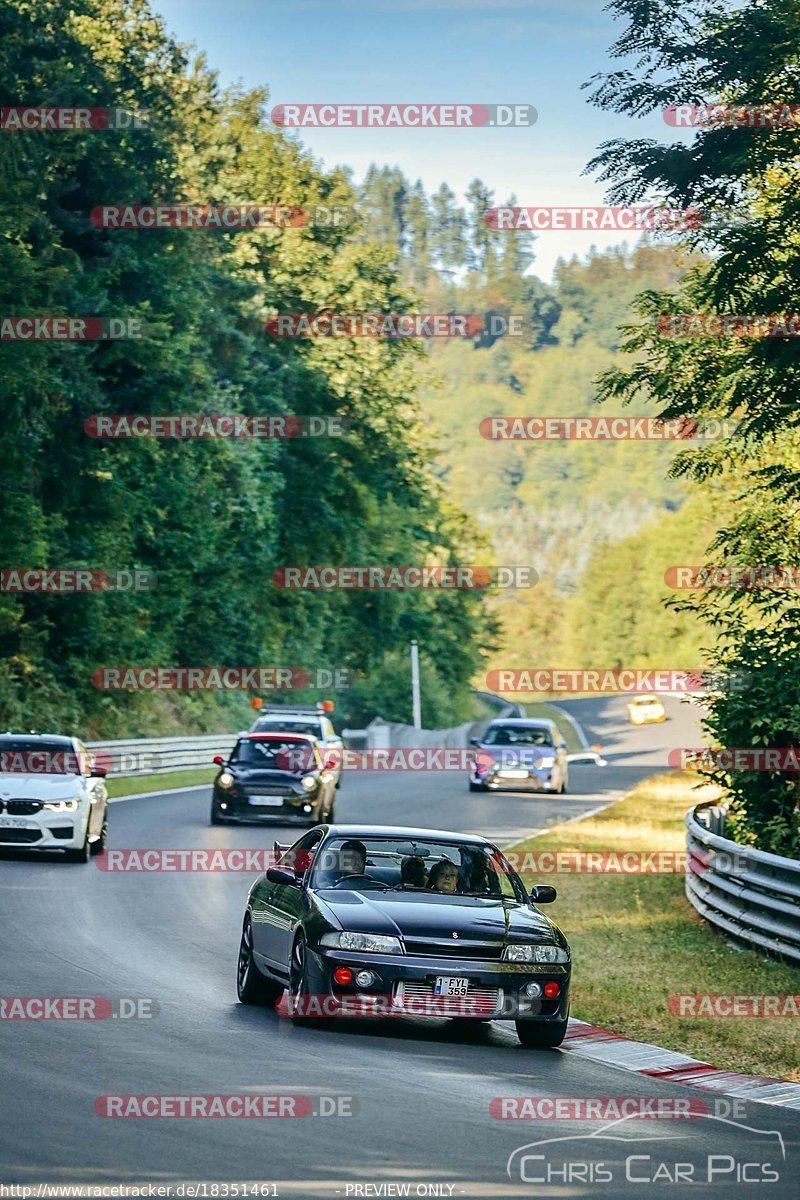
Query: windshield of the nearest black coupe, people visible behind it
column 422, row 866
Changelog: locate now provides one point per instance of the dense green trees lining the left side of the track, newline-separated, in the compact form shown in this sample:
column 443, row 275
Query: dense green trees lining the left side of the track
column 212, row 519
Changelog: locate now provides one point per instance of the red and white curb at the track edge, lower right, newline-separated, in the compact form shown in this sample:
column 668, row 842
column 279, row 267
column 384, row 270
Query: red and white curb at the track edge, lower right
column 592, row 1042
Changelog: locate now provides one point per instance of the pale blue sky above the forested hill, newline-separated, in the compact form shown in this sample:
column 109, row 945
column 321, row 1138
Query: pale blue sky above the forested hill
column 435, row 51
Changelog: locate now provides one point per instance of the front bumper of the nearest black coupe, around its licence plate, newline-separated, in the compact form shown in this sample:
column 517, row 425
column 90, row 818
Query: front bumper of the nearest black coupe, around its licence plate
column 402, row 985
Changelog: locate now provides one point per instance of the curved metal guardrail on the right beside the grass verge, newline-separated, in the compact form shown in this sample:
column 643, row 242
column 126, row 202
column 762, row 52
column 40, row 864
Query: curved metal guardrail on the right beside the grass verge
column 749, row 895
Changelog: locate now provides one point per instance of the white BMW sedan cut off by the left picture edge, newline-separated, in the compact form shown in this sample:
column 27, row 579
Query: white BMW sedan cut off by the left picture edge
column 53, row 796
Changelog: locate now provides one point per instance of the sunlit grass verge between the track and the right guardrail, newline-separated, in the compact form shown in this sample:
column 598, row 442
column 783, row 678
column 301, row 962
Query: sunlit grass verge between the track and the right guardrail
column 636, row 941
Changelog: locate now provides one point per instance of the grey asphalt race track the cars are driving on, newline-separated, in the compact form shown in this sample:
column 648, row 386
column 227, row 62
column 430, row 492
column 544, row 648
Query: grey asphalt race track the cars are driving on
column 412, row 1097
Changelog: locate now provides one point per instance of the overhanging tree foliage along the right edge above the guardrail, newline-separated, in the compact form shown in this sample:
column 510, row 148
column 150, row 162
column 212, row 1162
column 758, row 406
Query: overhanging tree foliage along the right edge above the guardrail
column 748, row 182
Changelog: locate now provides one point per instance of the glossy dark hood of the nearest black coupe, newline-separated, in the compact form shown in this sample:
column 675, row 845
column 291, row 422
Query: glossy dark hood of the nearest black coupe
column 429, row 916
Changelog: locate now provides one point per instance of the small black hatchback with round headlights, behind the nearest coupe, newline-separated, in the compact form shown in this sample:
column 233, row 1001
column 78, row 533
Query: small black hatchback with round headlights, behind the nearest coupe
column 279, row 776
